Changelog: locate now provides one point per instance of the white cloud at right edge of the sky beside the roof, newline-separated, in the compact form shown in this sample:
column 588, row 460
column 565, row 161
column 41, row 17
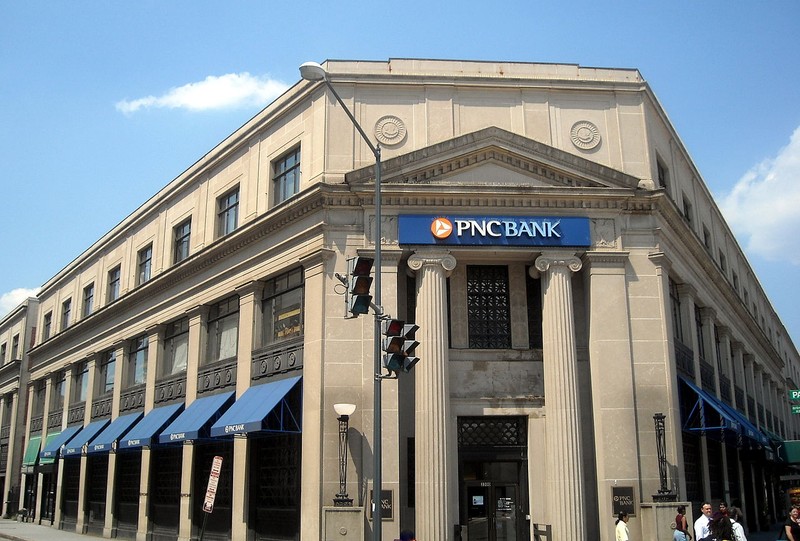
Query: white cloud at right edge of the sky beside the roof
column 763, row 206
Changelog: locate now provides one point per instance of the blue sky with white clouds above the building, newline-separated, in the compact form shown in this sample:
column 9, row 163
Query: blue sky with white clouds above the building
column 103, row 103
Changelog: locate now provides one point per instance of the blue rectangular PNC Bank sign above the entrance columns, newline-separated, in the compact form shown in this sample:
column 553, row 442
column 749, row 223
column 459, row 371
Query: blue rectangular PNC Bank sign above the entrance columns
column 494, row 230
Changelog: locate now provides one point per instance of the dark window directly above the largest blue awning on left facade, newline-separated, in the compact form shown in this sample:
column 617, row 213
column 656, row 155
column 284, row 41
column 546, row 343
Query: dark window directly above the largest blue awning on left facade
column 282, row 308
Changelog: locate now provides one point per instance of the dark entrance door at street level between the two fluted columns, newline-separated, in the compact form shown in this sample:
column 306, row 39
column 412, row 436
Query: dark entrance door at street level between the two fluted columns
column 492, row 511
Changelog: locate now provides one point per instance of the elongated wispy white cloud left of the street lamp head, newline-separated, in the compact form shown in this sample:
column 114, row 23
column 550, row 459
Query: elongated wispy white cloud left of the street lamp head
column 224, row 92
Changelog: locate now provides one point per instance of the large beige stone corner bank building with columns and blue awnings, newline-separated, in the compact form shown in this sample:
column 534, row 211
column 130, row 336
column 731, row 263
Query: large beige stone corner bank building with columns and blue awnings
column 573, row 282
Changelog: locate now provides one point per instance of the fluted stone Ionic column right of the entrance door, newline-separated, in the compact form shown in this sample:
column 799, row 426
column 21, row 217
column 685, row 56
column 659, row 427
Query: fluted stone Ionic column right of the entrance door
column 564, row 461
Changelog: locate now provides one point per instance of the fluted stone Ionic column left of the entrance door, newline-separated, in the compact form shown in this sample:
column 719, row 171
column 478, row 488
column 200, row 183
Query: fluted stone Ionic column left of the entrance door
column 435, row 478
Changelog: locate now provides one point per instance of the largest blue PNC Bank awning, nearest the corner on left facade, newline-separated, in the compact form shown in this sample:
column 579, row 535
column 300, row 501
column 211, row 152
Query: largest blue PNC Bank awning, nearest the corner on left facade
column 260, row 408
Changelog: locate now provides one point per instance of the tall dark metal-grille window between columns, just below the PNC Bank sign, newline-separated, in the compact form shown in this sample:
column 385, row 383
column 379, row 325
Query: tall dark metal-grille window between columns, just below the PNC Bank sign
column 488, row 307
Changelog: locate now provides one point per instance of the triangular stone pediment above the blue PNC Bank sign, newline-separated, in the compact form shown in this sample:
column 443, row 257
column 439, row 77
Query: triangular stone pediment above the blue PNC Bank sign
column 495, row 157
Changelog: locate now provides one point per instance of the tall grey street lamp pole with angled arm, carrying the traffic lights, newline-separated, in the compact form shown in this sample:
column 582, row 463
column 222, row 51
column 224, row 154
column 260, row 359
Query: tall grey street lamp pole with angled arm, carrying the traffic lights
column 311, row 71
